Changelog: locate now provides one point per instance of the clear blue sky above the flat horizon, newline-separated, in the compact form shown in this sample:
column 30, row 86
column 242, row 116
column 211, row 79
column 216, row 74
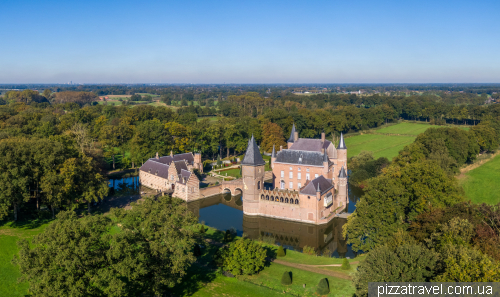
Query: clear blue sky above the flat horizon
column 353, row 41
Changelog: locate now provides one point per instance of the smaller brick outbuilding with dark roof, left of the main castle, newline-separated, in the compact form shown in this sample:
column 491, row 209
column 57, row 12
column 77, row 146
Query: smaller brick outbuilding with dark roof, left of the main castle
column 173, row 173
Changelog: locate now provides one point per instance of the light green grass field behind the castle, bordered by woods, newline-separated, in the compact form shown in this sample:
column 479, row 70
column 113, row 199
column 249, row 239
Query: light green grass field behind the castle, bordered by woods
column 387, row 141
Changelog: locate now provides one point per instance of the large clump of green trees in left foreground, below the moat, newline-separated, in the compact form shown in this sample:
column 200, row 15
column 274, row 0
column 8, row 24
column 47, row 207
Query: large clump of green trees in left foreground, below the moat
column 150, row 254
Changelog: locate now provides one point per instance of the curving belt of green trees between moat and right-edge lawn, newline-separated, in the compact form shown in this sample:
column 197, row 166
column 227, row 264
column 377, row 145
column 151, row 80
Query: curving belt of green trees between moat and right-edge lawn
column 396, row 197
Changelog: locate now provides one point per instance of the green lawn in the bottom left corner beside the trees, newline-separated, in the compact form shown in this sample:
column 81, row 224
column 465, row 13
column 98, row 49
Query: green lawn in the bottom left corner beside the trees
column 9, row 273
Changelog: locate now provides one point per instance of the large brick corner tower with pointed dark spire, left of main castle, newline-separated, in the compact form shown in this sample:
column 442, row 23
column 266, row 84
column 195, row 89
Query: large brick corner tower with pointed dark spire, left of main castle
column 252, row 170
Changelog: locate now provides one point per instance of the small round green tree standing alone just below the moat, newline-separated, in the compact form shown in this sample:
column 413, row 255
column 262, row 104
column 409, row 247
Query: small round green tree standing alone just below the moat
column 243, row 256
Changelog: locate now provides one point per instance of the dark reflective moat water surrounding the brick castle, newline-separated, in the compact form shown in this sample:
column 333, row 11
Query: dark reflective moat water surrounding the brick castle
column 225, row 212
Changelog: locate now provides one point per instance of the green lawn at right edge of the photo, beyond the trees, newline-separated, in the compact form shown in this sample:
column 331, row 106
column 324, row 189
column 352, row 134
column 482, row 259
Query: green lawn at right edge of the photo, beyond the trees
column 481, row 183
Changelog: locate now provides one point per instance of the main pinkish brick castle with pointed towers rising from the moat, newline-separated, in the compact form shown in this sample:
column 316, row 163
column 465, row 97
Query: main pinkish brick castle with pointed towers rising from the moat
column 309, row 181
